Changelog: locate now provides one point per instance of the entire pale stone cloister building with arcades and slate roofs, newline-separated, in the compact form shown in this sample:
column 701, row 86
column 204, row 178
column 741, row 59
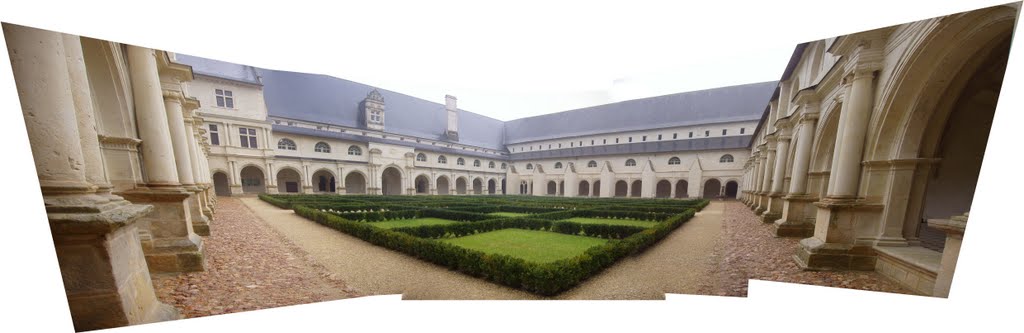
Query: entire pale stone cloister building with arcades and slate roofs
column 869, row 148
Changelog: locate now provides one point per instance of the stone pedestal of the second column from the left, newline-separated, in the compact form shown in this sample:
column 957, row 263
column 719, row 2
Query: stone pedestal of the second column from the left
column 176, row 247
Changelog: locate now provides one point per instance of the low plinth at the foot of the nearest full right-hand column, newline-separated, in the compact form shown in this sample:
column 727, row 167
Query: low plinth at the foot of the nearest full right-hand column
column 814, row 255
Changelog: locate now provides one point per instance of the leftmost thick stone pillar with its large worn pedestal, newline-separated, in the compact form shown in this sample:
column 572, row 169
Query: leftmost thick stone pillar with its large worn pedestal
column 96, row 236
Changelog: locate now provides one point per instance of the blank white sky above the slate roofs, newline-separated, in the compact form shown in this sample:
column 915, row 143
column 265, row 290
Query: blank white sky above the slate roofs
column 506, row 61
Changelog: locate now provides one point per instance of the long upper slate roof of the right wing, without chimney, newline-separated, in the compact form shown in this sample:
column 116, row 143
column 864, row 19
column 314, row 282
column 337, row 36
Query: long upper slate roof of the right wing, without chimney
column 742, row 103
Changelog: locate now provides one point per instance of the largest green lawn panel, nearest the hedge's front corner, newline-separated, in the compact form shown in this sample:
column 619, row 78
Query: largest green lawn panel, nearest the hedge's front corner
column 529, row 245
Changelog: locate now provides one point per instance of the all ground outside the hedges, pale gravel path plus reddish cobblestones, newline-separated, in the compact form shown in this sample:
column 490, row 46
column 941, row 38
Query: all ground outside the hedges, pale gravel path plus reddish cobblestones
column 261, row 257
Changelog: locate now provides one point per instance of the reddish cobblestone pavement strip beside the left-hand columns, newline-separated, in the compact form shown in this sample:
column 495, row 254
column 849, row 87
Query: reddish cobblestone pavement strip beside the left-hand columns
column 249, row 267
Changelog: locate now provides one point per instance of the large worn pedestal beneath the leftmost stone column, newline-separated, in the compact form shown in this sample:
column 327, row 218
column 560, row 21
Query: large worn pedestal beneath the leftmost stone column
column 105, row 273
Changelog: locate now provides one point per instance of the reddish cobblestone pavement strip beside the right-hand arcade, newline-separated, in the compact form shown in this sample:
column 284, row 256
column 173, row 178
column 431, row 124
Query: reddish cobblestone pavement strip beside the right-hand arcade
column 748, row 249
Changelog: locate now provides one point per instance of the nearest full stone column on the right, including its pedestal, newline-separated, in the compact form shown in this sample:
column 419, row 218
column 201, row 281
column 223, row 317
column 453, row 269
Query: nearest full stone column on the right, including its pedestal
column 835, row 245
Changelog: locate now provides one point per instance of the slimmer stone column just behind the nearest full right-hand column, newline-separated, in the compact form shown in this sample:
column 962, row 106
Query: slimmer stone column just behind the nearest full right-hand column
column 796, row 222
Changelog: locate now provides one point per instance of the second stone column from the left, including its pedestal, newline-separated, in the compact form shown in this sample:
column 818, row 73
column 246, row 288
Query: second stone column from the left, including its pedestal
column 175, row 246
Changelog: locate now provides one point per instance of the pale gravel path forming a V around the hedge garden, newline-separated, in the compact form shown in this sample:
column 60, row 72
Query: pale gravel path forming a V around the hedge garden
column 676, row 265
